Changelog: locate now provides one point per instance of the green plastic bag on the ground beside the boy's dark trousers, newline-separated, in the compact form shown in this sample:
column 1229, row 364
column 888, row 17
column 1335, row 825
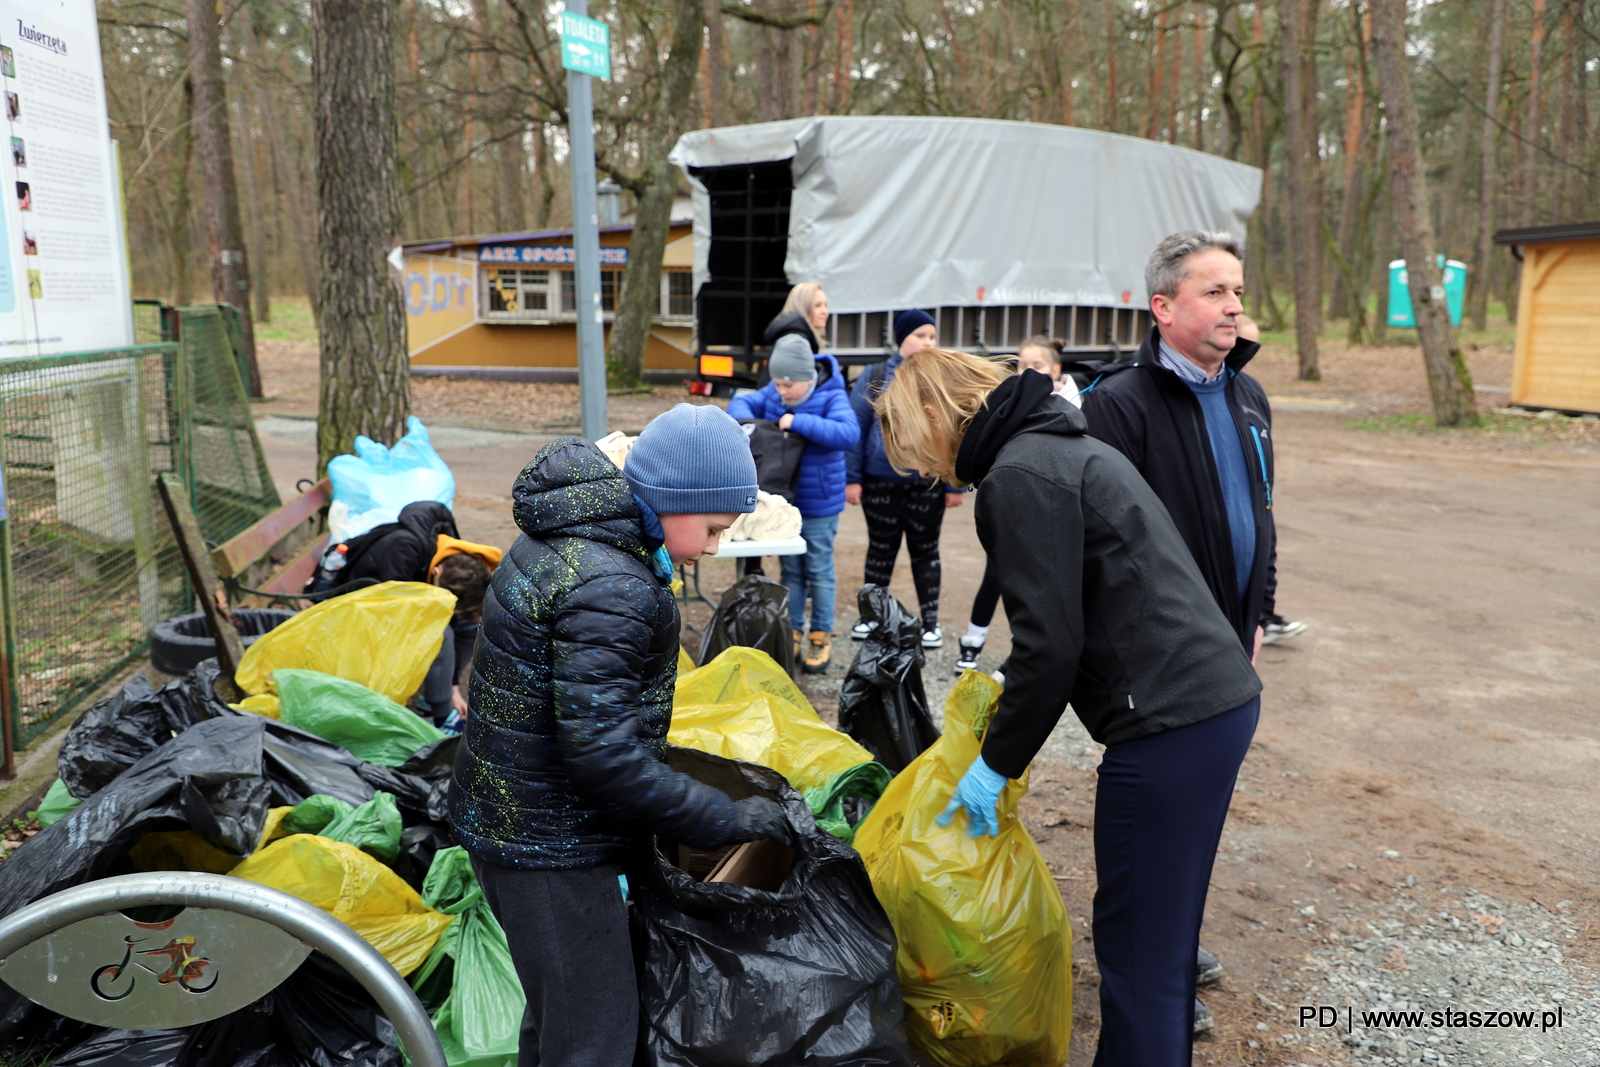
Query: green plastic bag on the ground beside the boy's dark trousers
column 468, row 981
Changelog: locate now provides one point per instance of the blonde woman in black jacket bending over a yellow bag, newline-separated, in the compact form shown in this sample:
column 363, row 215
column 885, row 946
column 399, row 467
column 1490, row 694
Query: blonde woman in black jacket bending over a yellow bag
column 1110, row 613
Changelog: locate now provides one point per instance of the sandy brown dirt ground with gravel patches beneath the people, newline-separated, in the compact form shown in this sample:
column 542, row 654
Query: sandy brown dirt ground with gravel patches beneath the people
column 1415, row 823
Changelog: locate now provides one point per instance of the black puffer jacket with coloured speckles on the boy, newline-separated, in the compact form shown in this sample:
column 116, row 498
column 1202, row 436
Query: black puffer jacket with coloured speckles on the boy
column 572, row 684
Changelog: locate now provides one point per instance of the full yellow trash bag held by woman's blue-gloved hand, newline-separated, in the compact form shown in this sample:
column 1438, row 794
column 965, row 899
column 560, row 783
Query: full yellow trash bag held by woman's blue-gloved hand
column 985, row 946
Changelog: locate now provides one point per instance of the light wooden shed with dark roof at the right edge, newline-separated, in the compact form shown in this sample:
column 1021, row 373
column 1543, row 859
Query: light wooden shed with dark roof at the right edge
column 1558, row 318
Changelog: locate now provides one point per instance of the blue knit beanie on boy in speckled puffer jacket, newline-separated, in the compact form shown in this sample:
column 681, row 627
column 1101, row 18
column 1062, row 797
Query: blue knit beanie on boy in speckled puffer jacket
column 694, row 462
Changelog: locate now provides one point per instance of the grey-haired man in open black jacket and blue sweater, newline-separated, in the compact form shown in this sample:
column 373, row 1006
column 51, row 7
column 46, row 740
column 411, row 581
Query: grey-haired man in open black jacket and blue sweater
column 1201, row 433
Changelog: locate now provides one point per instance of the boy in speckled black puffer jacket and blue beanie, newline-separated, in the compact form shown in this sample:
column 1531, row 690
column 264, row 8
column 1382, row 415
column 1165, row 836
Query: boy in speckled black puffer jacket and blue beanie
column 561, row 773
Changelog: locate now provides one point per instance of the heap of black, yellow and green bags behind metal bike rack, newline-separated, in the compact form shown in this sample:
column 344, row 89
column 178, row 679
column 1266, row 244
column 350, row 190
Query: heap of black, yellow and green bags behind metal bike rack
column 319, row 785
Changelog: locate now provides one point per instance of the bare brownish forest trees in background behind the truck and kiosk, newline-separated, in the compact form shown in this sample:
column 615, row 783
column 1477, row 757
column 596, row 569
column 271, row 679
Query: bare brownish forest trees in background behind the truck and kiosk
column 1506, row 97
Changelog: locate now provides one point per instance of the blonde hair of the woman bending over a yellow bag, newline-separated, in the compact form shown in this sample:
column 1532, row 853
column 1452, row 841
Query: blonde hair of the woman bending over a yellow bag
column 930, row 404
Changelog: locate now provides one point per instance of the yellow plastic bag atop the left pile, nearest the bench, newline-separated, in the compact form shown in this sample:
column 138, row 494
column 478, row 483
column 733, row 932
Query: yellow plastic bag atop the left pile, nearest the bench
column 385, row 637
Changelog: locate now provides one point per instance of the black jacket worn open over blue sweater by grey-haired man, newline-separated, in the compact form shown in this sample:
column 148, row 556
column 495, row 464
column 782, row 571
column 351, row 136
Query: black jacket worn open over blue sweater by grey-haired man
column 1151, row 417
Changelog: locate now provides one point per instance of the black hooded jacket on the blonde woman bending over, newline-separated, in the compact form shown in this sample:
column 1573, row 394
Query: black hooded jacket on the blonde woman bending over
column 1106, row 605
